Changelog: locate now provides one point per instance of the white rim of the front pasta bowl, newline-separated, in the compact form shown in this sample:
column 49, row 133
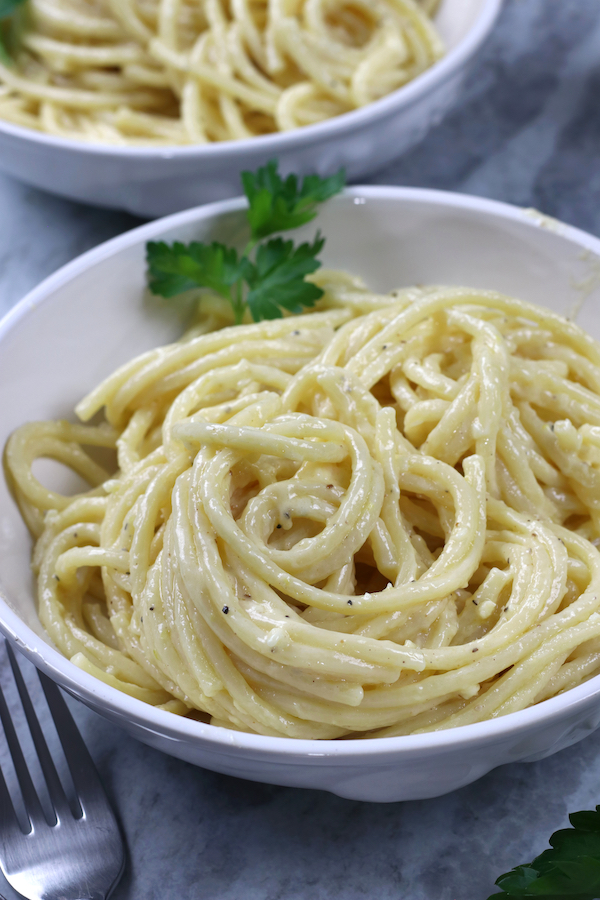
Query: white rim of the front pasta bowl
column 116, row 704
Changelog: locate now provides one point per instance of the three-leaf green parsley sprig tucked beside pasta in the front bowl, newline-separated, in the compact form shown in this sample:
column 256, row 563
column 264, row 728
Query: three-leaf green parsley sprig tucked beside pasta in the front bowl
column 268, row 277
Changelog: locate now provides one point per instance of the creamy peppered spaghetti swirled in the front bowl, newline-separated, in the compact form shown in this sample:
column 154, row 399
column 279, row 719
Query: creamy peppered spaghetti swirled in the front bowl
column 374, row 519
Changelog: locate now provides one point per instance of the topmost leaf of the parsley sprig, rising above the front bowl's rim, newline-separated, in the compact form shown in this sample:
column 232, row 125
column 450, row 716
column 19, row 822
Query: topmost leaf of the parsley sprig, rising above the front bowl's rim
column 276, row 204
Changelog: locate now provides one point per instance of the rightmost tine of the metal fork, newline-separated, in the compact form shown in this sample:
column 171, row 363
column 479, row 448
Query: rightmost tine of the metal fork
column 81, row 765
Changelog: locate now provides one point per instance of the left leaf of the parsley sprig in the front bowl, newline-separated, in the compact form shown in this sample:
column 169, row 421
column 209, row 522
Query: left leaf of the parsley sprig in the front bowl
column 175, row 268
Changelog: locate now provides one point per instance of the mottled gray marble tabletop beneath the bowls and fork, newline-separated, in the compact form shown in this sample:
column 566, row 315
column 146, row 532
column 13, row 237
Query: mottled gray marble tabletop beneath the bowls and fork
column 526, row 131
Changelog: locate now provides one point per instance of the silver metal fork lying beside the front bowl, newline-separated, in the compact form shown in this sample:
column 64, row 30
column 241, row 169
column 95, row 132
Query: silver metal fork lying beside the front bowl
column 75, row 857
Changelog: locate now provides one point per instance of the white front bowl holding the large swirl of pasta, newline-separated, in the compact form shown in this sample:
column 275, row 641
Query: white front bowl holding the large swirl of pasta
column 91, row 316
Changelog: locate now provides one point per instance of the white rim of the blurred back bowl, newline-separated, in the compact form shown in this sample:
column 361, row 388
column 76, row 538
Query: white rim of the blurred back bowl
column 277, row 142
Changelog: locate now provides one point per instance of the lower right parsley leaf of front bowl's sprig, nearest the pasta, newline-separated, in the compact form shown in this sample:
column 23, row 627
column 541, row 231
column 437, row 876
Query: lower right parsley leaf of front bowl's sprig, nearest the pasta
column 276, row 279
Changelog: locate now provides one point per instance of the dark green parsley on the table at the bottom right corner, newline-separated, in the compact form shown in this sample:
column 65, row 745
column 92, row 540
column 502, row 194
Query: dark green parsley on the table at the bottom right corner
column 570, row 869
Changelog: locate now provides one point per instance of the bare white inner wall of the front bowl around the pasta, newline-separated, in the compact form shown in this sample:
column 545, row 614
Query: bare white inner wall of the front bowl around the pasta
column 93, row 315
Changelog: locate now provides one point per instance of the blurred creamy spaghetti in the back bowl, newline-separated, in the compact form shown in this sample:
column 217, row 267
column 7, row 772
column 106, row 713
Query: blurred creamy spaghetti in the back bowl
column 195, row 71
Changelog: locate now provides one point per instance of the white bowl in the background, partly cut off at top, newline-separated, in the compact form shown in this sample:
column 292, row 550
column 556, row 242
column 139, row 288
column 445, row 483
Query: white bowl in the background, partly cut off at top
column 153, row 182
